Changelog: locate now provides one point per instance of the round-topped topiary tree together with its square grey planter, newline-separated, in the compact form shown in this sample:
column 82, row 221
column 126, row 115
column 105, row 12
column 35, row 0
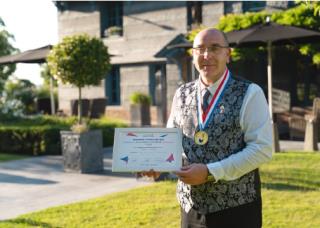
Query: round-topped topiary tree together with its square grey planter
column 81, row 61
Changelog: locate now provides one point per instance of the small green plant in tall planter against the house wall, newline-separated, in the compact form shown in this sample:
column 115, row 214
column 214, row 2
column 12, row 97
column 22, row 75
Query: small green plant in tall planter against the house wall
column 140, row 109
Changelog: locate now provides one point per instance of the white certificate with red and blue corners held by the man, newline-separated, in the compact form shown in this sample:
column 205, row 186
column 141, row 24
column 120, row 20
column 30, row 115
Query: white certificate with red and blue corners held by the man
column 143, row 149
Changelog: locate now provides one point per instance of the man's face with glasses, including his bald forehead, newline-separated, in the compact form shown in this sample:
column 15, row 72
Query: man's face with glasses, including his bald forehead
column 210, row 55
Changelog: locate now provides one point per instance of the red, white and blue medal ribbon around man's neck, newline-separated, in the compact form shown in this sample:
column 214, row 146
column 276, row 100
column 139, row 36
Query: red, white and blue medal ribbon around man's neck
column 203, row 122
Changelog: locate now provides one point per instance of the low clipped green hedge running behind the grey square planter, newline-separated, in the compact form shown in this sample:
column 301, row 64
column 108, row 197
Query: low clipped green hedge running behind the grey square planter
column 32, row 139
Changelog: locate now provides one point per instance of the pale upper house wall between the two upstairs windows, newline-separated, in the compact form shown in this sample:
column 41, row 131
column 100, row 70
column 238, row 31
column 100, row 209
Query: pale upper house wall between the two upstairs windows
column 147, row 28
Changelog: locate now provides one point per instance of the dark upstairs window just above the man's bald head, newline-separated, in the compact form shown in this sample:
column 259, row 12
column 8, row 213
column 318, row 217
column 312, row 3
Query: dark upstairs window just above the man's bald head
column 194, row 14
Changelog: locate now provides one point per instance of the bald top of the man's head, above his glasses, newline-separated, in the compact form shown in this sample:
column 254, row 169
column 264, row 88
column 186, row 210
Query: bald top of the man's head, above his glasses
column 211, row 33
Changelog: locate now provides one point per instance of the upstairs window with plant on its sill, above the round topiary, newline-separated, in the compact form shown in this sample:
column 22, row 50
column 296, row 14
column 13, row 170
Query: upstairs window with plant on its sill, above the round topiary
column 111, row 14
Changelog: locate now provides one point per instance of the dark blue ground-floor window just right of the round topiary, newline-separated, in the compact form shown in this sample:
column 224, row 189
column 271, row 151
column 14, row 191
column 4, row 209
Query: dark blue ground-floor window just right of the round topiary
column 112, row 86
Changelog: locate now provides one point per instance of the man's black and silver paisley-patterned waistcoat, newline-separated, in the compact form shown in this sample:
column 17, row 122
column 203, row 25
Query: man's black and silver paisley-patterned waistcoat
column 225, row 138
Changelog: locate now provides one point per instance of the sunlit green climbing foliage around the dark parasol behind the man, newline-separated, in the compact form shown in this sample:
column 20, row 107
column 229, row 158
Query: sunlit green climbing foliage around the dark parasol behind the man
column 303, row 15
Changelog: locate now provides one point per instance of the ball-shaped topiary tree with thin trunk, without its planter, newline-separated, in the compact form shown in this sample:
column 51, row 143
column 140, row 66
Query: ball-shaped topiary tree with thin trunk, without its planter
column 79, row 60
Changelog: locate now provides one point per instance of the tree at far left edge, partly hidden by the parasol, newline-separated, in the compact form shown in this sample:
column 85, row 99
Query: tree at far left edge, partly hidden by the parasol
column 5, row 49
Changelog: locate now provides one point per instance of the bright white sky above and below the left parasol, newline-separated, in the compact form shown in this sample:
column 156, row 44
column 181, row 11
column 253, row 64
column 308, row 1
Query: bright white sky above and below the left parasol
column 34, row 23
